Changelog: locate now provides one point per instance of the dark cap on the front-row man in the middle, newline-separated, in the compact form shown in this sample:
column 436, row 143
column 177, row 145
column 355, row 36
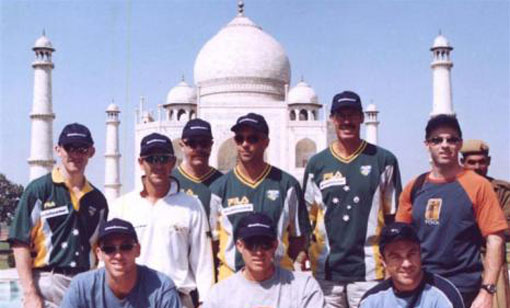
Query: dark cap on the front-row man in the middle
column 255, row 224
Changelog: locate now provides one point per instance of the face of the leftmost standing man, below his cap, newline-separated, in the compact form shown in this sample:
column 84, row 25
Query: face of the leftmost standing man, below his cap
column 74, row 157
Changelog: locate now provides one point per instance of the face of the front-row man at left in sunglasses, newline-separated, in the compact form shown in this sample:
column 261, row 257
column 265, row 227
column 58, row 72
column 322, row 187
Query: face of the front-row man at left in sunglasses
column 121, row 262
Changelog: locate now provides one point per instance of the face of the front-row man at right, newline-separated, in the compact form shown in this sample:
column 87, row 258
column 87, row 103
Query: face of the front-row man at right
column 402, row 261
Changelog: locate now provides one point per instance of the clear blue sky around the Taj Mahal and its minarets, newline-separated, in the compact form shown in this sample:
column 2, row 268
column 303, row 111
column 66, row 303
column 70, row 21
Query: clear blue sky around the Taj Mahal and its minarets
column 121, row 50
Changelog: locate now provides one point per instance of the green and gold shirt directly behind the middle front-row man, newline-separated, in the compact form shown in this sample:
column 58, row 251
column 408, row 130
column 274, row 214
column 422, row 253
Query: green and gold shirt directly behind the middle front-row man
column 275, row 193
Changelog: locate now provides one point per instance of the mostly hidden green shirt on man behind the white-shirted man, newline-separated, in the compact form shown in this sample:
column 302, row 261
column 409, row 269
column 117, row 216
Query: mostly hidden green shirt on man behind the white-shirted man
column 197, row 187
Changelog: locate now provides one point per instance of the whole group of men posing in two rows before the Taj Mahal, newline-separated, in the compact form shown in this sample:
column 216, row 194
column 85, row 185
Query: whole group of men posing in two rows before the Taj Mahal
column 190, row 226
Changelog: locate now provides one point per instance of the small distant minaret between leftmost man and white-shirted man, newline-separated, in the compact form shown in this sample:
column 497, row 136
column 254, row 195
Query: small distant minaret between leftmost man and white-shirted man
column 112, row 155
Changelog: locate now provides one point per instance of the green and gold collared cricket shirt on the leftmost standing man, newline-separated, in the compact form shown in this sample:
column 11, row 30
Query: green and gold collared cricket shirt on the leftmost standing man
column 60, row 226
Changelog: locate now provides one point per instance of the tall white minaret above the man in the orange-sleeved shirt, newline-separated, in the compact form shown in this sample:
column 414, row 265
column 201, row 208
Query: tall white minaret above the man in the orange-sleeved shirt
column 441, row 66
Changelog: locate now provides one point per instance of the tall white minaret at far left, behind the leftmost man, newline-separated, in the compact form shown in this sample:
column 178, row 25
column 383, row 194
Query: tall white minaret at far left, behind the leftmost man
column 41, row 136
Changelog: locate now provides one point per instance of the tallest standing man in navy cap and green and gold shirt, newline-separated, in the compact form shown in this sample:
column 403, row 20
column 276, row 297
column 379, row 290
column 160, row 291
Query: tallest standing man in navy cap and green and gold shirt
column 351, row 190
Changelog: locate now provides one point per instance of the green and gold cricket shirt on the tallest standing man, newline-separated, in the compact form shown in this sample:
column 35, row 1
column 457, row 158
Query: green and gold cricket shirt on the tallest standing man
column 347, row 198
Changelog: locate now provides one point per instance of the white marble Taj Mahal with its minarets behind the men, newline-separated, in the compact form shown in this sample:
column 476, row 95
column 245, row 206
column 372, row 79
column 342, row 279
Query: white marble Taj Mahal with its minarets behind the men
column 241, row 69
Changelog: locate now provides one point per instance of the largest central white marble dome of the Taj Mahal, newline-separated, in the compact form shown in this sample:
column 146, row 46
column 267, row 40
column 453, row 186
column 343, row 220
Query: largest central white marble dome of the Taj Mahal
column 241, row 57
